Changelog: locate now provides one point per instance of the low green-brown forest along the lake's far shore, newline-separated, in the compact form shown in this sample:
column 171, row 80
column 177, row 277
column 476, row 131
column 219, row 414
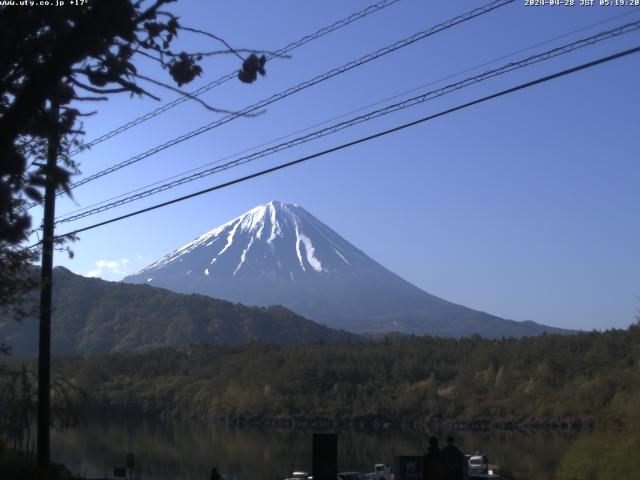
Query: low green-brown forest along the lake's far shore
column 528, row 381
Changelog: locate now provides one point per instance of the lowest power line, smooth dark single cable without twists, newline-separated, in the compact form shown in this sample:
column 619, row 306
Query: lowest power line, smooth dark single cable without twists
column 521, row 86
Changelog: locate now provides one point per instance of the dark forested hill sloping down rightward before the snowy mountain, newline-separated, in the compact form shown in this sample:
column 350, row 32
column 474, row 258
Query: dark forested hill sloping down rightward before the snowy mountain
column 92, row 316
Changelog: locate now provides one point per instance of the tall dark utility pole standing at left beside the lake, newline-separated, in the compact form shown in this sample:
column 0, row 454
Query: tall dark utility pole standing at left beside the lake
column 46, row 284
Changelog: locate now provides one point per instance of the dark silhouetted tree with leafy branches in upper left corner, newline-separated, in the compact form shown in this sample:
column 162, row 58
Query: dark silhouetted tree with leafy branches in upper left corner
column 72, row 55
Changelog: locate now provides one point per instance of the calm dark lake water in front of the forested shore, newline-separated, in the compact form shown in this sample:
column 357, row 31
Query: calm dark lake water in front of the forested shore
column 187, row 450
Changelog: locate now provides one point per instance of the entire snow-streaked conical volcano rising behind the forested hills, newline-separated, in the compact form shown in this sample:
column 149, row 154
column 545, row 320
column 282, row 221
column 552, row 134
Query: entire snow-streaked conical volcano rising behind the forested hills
column 279, row 253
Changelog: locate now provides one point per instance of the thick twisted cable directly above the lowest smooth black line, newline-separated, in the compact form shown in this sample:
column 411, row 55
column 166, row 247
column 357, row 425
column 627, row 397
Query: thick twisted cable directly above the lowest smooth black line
column 555, row 52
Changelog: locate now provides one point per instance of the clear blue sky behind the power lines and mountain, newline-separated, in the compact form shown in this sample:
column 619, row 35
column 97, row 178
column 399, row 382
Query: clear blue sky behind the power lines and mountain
column 526, row 207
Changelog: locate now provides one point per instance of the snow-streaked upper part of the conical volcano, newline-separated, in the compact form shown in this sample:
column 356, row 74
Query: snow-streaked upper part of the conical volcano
column 273, row 237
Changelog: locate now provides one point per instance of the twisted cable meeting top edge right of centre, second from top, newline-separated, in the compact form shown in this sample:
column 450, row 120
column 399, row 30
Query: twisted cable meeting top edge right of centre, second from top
column 290, row 91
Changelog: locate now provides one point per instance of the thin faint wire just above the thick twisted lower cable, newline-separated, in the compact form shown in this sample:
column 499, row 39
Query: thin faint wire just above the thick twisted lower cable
column 324, row 122
